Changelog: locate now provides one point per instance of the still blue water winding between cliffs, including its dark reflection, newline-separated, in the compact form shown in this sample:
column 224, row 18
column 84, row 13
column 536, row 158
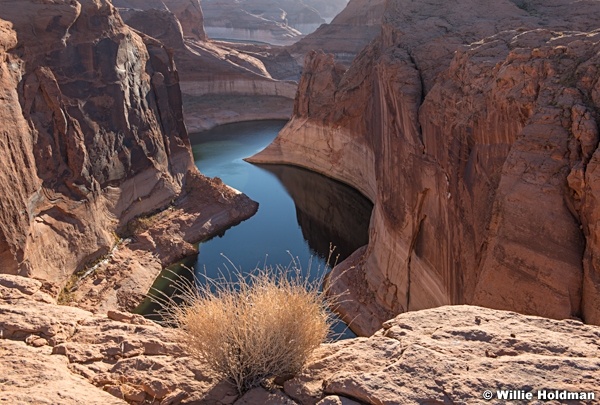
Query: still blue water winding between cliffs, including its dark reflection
column 300, row 214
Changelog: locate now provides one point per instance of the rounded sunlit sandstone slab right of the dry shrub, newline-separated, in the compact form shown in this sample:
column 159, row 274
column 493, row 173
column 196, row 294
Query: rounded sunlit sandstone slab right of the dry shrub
column 451, row 355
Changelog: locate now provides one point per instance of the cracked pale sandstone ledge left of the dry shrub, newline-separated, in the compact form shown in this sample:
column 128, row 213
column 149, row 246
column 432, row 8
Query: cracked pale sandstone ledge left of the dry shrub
column 62, row 355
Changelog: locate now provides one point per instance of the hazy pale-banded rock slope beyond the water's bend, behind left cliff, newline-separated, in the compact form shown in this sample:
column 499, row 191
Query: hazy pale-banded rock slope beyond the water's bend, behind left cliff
column 219, row 84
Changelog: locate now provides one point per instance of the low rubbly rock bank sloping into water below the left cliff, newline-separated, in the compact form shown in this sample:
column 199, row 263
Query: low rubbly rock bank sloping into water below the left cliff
column 121, row 281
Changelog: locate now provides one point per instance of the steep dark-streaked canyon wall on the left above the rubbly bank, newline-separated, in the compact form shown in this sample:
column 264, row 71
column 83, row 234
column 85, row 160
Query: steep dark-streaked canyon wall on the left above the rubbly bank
column 93, row 134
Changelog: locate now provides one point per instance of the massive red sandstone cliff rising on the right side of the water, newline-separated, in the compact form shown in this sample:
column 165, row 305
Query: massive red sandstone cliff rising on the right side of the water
column 476, row 142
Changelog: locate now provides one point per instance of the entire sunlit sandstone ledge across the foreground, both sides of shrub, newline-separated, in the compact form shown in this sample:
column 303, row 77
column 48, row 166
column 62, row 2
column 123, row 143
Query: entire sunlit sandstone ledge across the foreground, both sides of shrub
column 60, row 354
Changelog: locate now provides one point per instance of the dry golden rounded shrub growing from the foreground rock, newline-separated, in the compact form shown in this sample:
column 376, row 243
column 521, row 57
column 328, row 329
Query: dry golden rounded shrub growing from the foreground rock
column 255, row 328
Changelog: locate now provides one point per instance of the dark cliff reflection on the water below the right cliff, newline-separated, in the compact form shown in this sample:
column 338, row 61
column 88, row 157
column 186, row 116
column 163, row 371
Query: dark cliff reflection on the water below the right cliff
column 327, row 211
